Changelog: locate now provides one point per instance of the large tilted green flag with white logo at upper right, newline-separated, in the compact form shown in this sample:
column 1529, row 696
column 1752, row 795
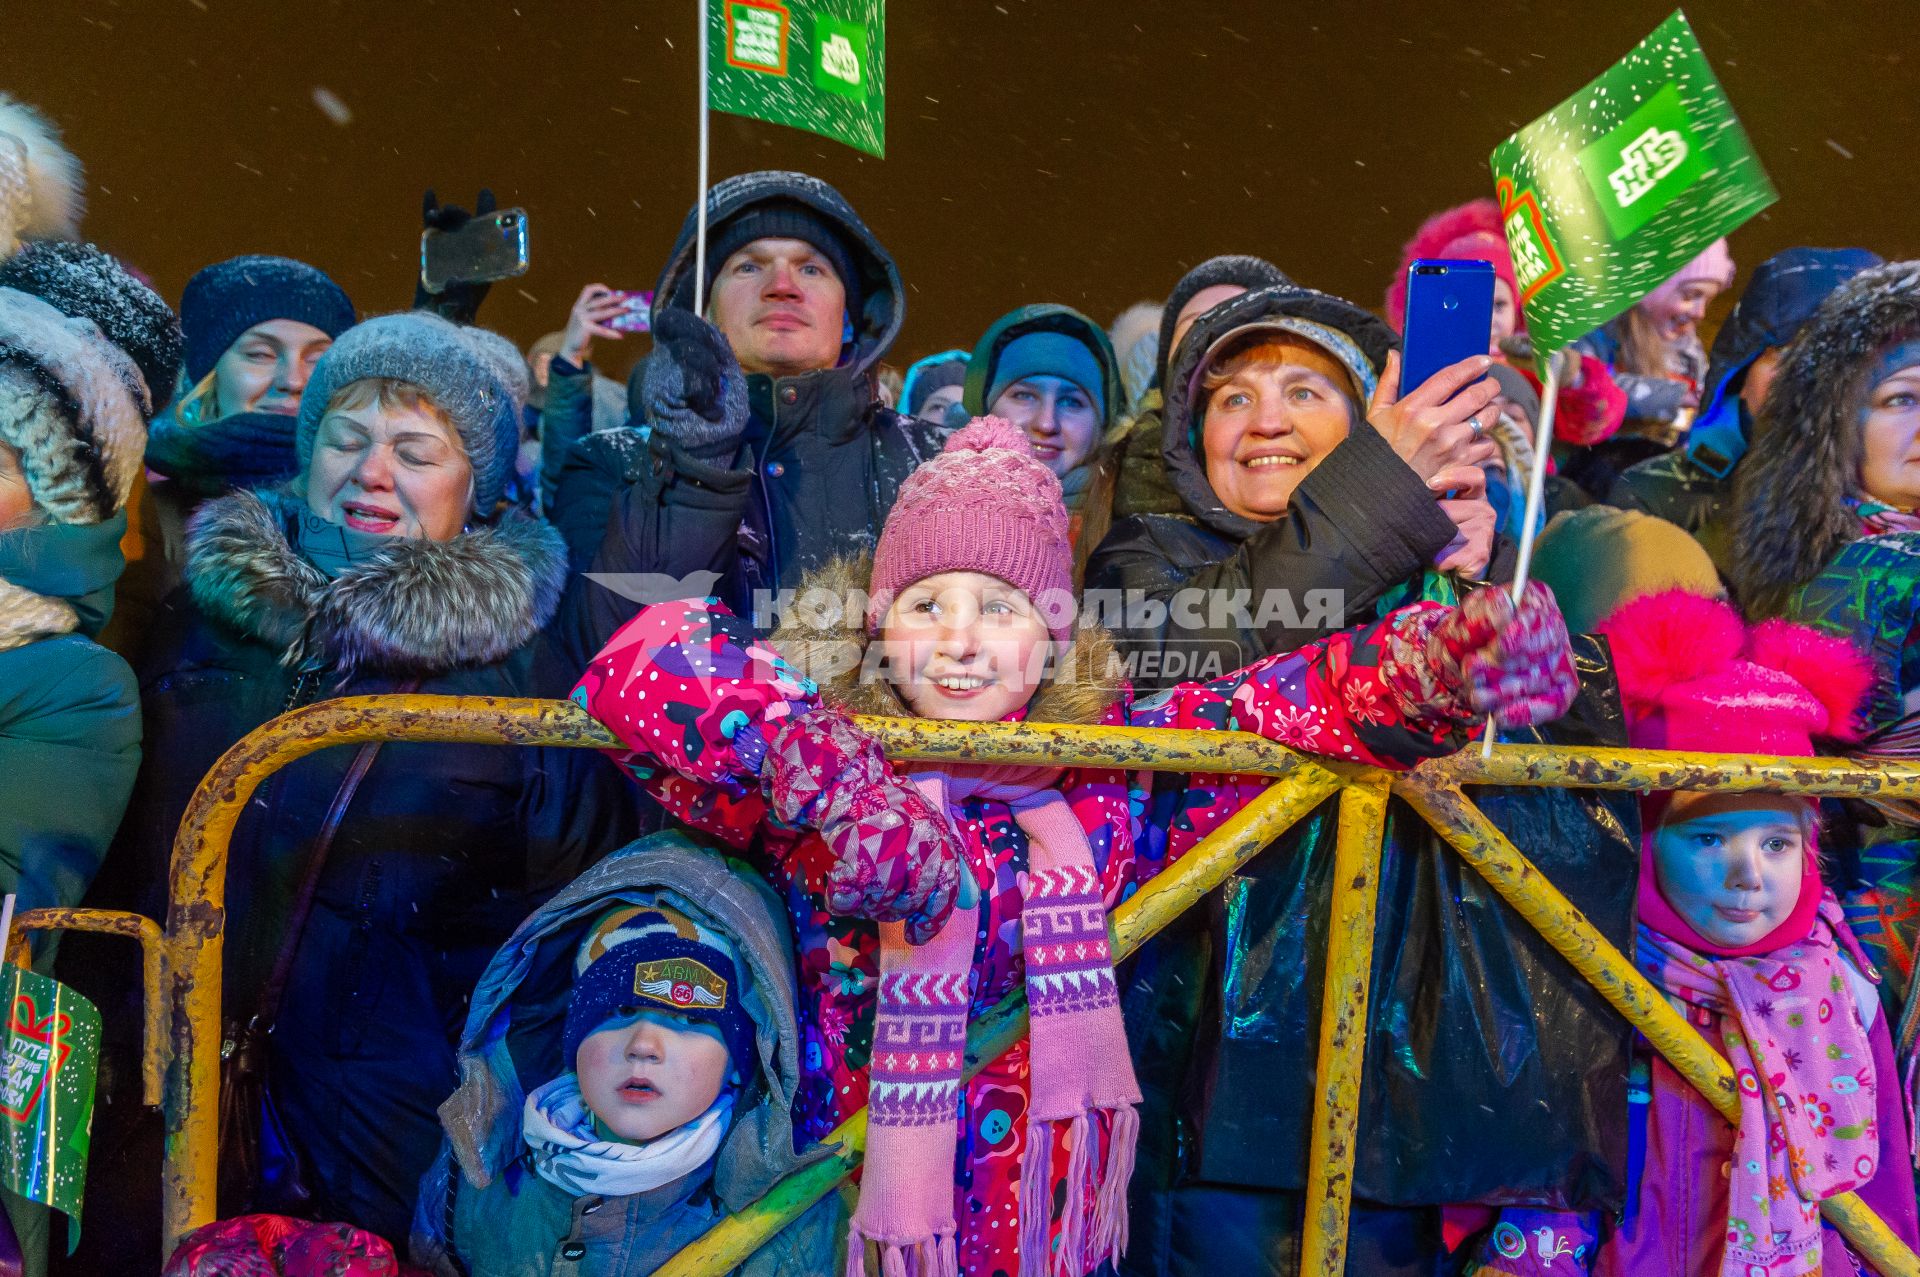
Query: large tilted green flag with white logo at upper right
column 1621, row 185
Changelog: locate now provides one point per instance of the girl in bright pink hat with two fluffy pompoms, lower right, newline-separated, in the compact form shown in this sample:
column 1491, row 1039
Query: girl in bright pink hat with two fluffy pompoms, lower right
column 1744, row 938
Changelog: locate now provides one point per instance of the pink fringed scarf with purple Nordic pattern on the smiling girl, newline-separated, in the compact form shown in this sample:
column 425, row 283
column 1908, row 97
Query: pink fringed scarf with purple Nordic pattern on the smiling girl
column 1078, row 1051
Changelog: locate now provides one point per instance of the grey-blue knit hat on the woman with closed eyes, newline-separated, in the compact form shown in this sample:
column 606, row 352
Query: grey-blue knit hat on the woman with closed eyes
column 444, row 362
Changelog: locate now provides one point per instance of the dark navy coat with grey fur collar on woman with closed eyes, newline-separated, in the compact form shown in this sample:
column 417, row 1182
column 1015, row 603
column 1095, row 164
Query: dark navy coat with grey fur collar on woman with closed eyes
column 441, row 855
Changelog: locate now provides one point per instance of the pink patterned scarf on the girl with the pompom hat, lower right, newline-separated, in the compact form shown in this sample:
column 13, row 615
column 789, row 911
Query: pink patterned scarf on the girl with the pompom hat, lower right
column 1808, row 1088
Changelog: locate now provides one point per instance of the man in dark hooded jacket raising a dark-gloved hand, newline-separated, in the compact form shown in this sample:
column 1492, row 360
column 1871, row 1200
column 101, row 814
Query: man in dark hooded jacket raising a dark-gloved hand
column 763, row 448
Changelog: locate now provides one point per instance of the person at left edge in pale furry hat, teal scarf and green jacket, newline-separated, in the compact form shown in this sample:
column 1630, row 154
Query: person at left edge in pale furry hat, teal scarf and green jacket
column 72, row 429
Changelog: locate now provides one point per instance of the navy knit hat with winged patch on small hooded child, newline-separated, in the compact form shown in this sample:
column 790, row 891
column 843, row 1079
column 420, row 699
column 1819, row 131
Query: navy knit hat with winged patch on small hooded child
column 652, row 957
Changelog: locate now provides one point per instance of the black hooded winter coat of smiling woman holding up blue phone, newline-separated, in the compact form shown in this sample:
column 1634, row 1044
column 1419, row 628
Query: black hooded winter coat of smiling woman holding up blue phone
column 1468, row 1005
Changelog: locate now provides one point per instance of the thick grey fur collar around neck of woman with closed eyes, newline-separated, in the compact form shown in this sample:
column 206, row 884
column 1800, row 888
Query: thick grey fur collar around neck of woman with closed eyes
column 420, row 610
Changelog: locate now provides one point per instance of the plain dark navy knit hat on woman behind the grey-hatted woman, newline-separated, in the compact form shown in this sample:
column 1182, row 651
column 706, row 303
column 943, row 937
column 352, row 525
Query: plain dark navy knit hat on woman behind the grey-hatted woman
column 231, row 297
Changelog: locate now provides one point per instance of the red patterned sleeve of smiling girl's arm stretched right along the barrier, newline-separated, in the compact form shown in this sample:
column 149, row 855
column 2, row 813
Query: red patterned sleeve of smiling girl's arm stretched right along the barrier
column 1362, row 696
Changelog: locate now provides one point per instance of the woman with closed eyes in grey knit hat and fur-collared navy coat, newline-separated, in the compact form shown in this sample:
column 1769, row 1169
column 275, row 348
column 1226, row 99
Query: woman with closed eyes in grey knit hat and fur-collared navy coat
column 383, row 567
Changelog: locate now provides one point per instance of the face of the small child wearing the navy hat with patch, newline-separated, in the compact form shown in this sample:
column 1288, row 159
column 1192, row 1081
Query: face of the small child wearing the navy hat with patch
column 650, row 1072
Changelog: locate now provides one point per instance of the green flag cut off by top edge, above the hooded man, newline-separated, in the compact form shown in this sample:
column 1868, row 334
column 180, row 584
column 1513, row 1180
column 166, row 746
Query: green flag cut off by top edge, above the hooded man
column 807, row 64
